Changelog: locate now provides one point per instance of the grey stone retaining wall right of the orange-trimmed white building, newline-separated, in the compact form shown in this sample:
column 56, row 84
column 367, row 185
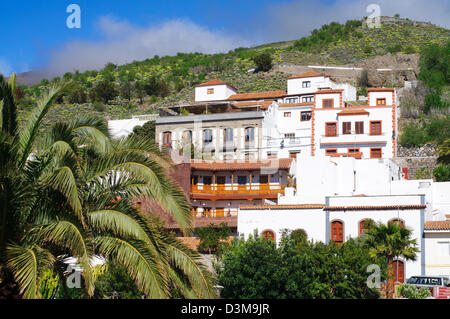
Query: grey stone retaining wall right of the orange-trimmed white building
column 420, row 161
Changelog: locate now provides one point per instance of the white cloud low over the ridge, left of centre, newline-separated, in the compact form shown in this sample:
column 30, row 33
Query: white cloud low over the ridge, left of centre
column 124, row 43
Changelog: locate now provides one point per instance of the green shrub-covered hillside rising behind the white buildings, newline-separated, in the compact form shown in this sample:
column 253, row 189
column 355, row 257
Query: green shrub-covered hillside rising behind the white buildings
column 143, row 86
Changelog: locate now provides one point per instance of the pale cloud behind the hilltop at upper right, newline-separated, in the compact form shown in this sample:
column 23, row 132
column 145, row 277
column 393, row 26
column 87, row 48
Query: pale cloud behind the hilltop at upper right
column 292, row 20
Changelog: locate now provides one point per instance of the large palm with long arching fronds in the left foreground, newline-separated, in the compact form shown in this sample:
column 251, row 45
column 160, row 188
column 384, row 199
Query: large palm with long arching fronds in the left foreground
column 74, row 196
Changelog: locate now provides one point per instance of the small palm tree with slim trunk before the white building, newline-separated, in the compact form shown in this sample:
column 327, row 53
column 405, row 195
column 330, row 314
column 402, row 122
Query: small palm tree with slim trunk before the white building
column 390, row 241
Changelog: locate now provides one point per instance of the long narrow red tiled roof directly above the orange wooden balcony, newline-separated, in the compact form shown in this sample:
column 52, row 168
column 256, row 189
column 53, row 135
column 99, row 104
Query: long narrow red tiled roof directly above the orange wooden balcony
column 282, row 163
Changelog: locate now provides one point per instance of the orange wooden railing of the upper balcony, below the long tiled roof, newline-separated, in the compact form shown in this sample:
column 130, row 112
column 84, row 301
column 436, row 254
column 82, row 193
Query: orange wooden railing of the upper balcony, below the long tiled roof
column 260, row 189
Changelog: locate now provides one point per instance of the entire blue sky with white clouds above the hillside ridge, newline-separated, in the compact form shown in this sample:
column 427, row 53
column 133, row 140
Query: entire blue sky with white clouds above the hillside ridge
column 36, row 36
